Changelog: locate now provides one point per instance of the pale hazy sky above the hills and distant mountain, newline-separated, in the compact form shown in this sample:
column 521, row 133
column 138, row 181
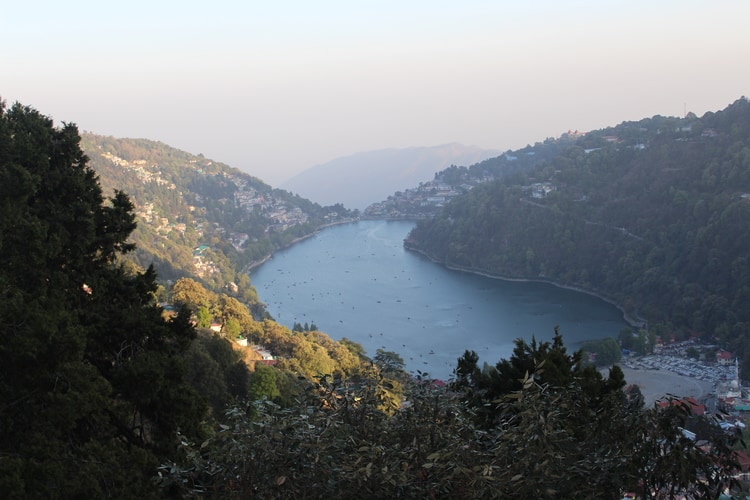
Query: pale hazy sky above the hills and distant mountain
column 275, row 87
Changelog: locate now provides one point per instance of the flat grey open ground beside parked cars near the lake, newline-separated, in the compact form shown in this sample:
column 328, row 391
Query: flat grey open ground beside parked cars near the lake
column 655, row 384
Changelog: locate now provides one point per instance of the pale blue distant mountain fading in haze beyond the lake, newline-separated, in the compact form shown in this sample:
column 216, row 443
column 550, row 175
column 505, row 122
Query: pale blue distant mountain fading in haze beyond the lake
column 364, row 178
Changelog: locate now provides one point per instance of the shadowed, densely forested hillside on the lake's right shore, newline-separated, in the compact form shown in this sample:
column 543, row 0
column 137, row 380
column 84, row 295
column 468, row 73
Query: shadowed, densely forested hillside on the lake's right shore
column 654, row 215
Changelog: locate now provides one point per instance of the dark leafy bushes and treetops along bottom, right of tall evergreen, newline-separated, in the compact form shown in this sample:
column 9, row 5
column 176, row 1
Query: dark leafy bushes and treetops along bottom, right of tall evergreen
column 549, row 441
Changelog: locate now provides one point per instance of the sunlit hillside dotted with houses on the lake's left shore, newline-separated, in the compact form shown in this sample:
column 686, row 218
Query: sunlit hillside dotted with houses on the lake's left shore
column 197, row 217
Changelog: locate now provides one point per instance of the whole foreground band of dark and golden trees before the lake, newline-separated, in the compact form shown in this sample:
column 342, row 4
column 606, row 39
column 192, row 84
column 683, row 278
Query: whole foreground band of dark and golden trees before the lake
column 104, row 393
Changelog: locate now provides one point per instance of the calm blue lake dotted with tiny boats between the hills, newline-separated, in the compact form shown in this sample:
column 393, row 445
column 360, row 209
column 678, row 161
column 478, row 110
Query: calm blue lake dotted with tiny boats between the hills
column 358, row 281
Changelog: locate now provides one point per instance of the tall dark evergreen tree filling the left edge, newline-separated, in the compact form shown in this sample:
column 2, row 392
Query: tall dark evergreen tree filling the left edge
column 92, row 387
